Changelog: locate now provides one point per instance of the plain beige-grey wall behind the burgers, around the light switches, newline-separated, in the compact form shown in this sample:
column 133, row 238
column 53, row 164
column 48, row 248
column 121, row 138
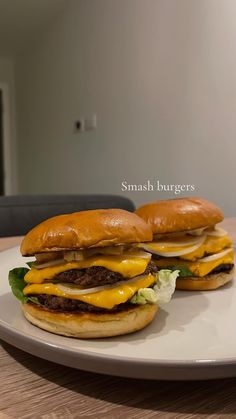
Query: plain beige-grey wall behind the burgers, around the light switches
column 161, row 75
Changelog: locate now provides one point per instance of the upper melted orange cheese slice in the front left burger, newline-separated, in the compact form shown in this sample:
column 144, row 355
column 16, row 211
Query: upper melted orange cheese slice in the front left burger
column 128, row 266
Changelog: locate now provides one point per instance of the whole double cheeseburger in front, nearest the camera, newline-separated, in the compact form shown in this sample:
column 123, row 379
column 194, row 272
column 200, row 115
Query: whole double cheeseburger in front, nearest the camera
column 89, row 279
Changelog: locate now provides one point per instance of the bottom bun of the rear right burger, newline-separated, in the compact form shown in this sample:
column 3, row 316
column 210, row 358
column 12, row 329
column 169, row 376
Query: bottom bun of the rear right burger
column 209, row 282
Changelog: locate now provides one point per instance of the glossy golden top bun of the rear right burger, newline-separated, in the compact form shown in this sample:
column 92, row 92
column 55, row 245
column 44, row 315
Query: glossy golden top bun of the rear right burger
column 177, row 215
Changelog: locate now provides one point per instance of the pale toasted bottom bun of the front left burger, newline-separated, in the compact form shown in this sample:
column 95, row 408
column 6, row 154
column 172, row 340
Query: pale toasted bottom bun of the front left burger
column 90, row 325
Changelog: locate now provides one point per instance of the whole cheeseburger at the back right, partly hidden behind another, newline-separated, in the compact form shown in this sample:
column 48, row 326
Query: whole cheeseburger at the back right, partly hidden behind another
column 187, row 238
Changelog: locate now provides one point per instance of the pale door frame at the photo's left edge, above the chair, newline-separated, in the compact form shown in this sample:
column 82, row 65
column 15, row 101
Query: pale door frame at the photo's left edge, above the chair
column 7, row 84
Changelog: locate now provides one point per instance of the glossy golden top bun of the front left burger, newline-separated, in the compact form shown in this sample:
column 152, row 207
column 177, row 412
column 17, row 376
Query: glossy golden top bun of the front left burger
column 85, row 229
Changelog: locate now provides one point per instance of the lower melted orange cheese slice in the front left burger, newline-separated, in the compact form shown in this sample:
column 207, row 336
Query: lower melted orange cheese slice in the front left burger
column 106, row 299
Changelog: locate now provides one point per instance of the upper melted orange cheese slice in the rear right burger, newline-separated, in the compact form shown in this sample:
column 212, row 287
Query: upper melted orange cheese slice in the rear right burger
column 210, row 246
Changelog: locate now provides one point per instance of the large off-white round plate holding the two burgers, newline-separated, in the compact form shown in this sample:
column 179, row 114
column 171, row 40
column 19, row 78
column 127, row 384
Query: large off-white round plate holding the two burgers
column 193, row 337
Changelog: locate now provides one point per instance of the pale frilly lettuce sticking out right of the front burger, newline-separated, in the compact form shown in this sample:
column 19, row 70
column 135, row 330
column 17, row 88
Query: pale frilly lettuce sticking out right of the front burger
column 161, row 293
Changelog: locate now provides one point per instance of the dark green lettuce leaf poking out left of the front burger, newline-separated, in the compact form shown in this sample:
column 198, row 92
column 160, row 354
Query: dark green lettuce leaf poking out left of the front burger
column 17, row 284
